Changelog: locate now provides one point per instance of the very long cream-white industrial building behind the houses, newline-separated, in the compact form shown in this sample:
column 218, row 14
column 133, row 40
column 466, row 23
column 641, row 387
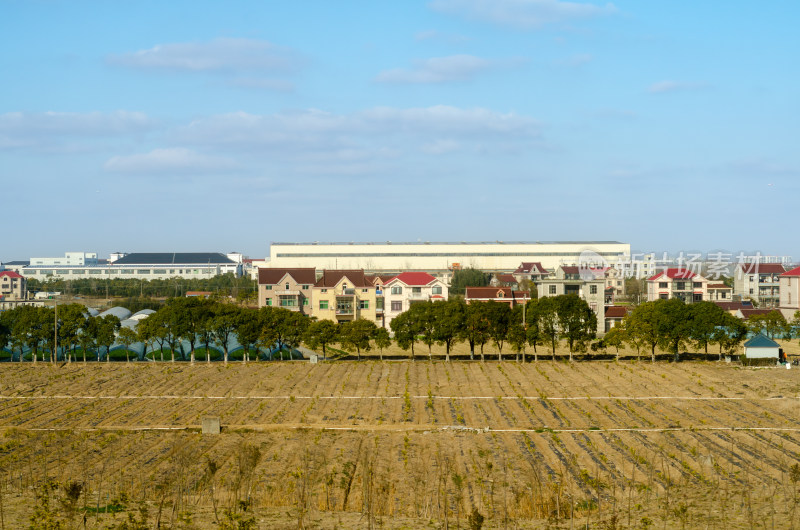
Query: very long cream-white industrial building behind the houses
column 441, row 257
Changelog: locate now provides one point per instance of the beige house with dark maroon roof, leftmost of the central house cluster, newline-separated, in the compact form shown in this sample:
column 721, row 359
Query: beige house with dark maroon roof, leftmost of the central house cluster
column 287, row 288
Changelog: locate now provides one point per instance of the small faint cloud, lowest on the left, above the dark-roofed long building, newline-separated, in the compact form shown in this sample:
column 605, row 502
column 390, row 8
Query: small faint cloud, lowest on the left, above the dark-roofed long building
column 169, row 161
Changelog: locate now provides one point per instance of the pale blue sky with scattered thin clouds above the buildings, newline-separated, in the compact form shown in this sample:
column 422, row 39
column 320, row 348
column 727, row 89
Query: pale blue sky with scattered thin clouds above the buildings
column 189, row 126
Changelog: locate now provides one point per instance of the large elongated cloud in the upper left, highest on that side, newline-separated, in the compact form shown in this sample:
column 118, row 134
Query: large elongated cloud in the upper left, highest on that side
column 224, row 54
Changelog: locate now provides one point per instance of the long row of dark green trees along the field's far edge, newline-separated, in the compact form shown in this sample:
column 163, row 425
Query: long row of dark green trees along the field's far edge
column 184, row 325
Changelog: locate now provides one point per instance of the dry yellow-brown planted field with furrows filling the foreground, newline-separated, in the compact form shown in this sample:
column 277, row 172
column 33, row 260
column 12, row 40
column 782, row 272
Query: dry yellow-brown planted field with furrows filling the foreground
column 400, row 444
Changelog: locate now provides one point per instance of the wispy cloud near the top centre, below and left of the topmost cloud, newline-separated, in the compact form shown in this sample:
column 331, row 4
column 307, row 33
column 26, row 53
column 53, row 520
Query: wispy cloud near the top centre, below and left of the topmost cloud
column 437, row 70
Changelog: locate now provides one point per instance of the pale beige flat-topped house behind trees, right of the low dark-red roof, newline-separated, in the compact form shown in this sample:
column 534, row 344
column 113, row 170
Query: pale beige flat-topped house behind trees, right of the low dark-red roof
column 588, row 284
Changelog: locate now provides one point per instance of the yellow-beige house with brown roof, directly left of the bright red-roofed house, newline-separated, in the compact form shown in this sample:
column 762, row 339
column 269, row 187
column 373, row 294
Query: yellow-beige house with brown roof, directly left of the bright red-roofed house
column 345, row 295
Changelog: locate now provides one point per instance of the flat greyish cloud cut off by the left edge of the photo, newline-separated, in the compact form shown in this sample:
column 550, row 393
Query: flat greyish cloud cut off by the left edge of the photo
column 50, row 130
